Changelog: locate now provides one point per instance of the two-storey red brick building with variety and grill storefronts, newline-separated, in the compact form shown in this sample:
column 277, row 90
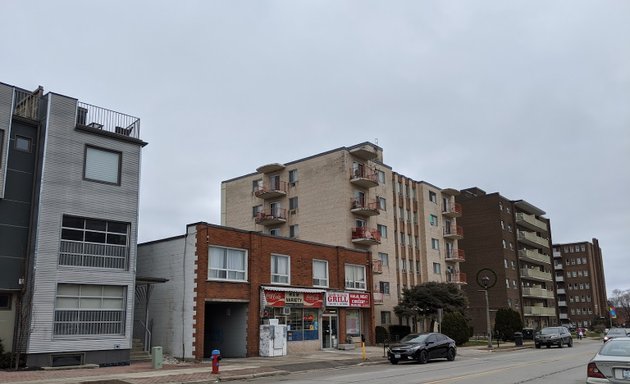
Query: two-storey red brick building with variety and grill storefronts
column 223, row 283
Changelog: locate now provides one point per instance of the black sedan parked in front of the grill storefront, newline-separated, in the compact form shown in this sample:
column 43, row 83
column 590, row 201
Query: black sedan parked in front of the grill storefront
column 423, row 347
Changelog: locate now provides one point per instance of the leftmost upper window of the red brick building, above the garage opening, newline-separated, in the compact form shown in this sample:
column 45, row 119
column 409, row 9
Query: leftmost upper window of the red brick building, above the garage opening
column 227, row 264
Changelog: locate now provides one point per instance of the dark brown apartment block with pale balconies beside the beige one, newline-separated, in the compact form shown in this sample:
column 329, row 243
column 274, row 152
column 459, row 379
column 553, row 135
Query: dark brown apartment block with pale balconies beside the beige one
column 509, row 241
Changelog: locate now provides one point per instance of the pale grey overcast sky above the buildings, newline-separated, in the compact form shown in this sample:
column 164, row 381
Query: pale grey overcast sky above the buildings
column 527, row 98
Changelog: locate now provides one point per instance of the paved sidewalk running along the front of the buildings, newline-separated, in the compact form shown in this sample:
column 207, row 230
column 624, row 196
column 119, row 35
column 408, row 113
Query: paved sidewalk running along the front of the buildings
column 230, row 369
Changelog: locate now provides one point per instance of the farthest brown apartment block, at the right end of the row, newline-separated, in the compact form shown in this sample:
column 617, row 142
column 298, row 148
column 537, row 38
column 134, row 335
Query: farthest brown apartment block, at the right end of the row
column 580, row 283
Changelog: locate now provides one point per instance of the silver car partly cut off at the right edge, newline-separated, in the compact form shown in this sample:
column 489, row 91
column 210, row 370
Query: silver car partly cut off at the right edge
column 611, row 364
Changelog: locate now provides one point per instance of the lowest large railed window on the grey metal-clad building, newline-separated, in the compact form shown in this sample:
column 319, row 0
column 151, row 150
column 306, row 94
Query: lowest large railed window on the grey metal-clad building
column 89, row 310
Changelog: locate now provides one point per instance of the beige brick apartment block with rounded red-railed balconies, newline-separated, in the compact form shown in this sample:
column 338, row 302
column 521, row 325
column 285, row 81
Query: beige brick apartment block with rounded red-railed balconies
column 349, row 197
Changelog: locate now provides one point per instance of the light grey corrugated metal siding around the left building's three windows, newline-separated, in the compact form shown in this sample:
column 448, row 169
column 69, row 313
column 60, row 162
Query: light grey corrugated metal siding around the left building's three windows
column 63, row 191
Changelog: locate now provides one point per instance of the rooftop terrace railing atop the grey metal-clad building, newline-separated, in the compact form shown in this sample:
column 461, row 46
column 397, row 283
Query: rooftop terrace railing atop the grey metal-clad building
column 107, row 120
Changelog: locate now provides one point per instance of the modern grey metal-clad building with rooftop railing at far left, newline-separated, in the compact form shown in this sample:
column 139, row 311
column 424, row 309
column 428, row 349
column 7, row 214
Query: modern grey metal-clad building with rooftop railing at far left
column 69, row 179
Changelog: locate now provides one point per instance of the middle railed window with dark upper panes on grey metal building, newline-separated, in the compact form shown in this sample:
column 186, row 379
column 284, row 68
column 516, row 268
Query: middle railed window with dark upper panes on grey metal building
column 94, row 243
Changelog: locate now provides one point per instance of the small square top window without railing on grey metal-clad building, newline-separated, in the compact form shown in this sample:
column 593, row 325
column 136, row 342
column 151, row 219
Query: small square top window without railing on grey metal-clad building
column 102, row 165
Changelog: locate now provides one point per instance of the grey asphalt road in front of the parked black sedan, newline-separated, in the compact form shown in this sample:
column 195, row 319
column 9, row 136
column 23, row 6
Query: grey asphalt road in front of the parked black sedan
column 531, row 366
